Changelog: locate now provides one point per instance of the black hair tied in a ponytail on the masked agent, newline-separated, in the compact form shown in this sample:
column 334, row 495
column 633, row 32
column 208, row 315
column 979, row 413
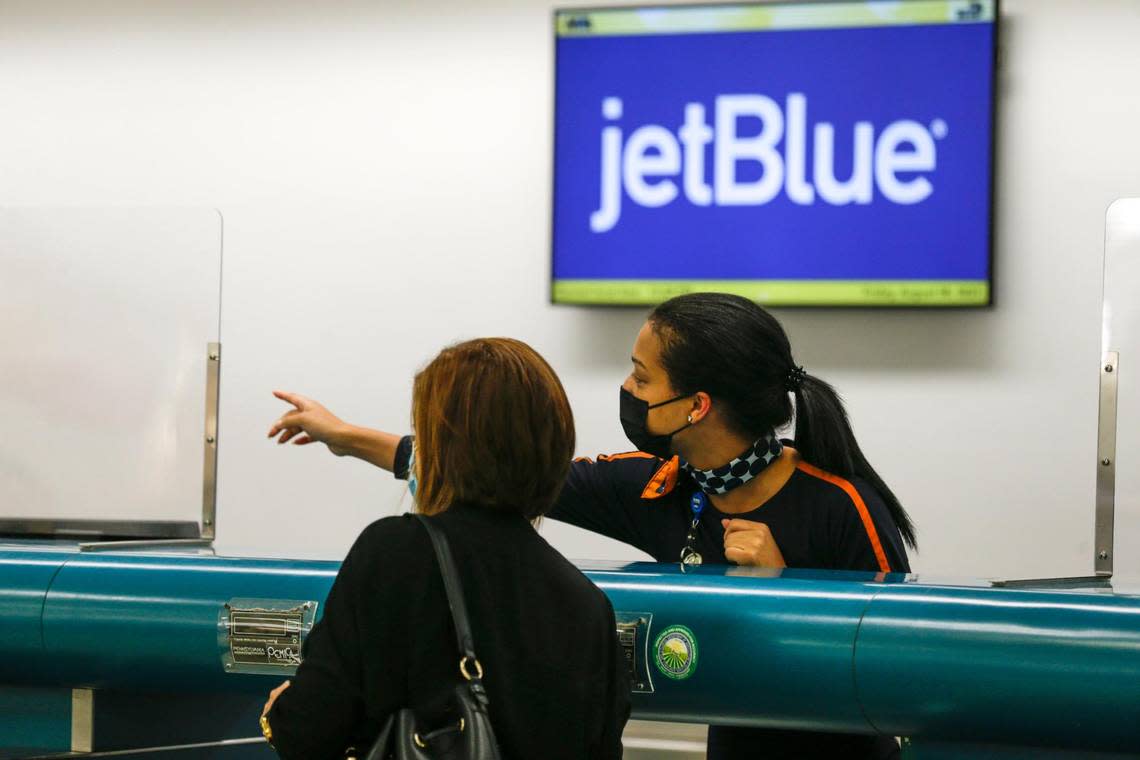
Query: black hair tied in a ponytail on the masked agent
column 739, row 355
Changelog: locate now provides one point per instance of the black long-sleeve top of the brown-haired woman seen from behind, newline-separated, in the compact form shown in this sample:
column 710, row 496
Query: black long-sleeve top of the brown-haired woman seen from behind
column 544, row 634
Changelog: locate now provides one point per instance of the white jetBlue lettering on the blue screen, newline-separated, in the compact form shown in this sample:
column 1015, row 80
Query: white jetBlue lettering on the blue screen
column 655, row 167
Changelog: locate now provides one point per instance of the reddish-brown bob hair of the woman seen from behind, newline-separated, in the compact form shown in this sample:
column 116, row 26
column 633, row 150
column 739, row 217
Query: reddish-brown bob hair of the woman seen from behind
column 493, row 428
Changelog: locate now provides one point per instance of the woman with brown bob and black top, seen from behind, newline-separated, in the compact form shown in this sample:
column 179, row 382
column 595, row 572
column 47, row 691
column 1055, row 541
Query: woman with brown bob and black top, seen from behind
column 495, row 438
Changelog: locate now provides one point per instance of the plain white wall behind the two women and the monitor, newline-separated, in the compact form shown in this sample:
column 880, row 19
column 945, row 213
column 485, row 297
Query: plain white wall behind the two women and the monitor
column 384, row 169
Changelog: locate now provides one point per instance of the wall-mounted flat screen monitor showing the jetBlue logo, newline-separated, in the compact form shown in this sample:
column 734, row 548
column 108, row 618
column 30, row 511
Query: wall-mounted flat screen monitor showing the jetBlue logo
column 819, row 154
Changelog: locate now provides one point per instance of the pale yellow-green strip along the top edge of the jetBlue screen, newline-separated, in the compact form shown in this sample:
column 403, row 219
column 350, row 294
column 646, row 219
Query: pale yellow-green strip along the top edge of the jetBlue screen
column 682, row 20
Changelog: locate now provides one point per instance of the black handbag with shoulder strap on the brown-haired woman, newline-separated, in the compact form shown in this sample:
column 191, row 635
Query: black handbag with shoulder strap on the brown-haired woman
column 470, row 737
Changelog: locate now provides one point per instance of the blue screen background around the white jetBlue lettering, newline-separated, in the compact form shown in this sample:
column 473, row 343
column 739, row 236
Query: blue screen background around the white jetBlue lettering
column 877, row 75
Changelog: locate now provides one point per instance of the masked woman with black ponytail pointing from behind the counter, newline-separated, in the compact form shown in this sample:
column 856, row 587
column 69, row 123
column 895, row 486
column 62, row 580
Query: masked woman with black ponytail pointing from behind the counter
column 713, row 380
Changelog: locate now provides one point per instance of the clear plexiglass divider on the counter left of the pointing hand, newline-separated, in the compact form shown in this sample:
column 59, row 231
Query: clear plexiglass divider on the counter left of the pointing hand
column 108, row 317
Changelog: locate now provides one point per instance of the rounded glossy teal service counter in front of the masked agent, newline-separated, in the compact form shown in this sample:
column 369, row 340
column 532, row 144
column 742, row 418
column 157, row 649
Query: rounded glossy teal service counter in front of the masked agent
column 849, row 652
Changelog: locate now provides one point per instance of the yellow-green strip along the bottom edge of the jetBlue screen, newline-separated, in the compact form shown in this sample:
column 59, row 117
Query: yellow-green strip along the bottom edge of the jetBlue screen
column 781, row 293
